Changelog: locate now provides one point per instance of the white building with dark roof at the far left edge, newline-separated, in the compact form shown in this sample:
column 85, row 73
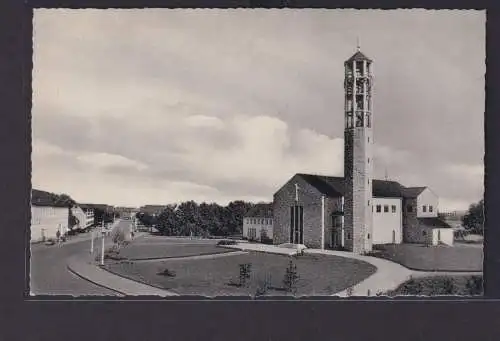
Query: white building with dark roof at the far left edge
column 47, row 216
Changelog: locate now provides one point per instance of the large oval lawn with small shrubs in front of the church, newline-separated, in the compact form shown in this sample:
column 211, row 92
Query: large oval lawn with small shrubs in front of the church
column 318, row 274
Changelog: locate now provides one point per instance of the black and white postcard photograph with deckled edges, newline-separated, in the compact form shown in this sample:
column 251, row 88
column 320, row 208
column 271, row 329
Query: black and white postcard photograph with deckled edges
column 257, row 152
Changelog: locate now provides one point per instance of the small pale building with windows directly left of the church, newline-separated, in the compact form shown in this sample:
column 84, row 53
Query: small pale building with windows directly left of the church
column 258, row 223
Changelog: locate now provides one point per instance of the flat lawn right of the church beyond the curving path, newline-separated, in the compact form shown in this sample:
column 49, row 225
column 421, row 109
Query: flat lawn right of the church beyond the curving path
column 433, row 258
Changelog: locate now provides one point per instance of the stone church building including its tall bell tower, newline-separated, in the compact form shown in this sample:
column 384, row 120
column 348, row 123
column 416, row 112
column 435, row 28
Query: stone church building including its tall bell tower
column 355, row 212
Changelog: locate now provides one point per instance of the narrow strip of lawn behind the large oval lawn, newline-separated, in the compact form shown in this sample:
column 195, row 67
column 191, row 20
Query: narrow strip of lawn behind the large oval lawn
column 136, row 251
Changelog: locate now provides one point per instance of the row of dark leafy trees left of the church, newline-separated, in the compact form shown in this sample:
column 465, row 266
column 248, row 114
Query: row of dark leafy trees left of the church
column 199, row 219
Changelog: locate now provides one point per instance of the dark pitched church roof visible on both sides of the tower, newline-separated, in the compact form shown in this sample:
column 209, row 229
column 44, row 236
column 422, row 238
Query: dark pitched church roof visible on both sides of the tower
column 335, row 186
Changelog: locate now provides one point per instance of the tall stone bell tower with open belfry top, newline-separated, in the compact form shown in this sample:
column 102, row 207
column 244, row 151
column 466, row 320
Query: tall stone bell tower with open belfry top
column 358, row 160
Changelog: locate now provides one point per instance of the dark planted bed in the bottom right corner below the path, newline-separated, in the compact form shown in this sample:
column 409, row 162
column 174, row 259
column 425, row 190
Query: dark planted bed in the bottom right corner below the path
column 441, row 285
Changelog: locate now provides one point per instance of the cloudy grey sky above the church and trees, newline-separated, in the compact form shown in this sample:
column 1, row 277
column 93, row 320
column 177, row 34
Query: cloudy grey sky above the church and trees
column 157, row 106
